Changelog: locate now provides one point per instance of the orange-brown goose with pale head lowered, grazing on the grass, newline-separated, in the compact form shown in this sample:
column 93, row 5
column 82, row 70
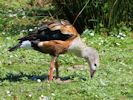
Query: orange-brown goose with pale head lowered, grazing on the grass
column 56, row 38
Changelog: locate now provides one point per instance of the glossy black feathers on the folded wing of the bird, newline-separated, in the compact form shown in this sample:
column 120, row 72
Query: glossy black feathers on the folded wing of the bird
column 43, row 33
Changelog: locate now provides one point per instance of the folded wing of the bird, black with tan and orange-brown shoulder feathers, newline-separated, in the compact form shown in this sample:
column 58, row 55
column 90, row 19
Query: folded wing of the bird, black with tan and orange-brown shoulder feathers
column 59, row 30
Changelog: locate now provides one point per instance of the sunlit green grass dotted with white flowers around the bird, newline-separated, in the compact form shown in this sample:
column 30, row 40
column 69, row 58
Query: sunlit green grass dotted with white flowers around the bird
column 24, row 73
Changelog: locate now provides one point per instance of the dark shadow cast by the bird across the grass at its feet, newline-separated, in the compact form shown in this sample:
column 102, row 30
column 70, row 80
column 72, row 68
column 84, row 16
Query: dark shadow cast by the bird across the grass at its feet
column 23, row 77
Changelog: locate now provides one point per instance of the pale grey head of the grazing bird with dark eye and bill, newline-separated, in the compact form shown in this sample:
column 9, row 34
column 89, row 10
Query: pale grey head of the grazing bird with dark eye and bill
column 92, row 57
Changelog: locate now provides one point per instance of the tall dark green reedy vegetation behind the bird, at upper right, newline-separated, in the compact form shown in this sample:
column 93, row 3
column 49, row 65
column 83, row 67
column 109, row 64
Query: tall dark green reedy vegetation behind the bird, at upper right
column 95, row 13
